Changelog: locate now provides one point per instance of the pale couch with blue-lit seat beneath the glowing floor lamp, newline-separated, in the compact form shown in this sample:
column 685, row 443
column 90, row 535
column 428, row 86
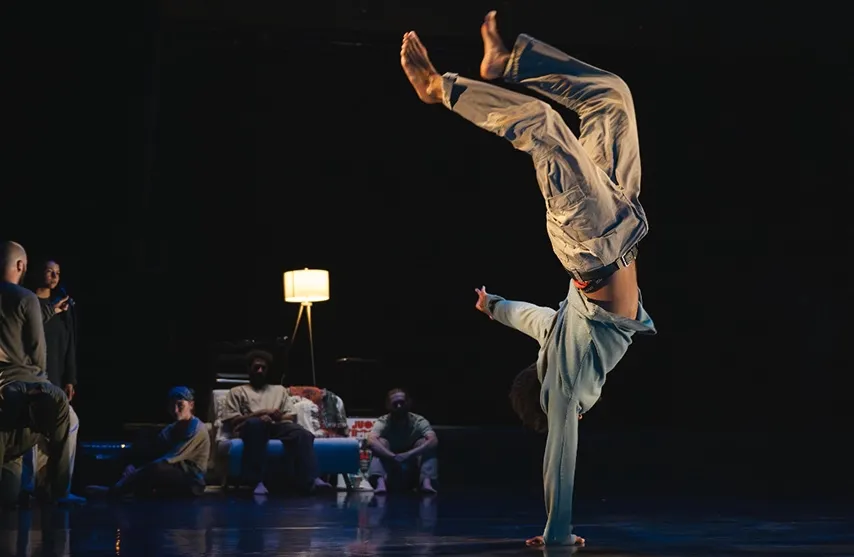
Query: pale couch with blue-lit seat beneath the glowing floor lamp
column 334, row 455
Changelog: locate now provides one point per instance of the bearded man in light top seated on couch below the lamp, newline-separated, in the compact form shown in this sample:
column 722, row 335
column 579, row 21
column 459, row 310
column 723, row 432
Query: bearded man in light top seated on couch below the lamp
column 260, row 411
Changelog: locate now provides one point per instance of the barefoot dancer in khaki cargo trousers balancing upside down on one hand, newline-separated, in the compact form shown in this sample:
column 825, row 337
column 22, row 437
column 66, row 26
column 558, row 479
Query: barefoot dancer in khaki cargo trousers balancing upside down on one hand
column 594, row 220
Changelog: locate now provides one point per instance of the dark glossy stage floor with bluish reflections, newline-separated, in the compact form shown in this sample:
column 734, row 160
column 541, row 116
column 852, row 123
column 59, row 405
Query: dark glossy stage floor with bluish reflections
column 457, row 522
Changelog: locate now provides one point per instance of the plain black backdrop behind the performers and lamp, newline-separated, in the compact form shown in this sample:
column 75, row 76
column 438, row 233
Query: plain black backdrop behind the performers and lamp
column 177, row 161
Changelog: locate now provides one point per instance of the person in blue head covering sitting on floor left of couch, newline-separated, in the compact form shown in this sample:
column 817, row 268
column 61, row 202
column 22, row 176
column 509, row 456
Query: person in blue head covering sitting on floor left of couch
column 180, row 471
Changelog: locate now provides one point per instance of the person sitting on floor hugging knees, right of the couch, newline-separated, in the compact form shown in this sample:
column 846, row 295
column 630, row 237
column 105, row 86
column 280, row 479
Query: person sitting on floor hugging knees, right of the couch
column 403, row 444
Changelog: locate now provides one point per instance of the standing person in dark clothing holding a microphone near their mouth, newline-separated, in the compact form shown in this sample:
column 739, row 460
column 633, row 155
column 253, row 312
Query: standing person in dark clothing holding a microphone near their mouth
column 60, row 342
